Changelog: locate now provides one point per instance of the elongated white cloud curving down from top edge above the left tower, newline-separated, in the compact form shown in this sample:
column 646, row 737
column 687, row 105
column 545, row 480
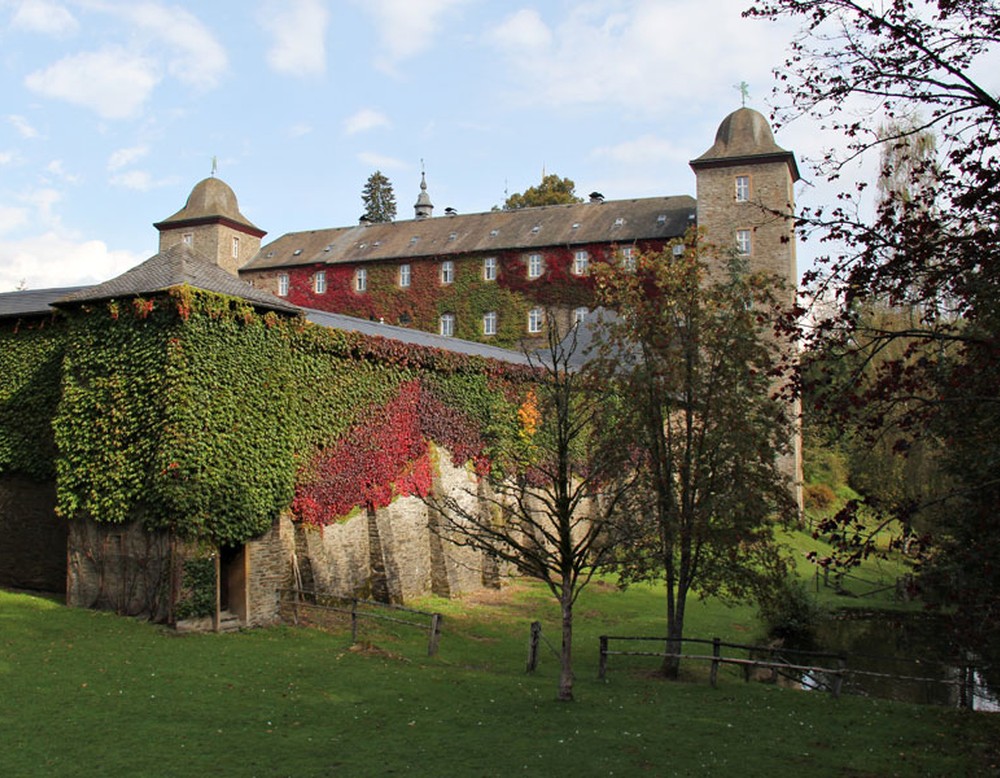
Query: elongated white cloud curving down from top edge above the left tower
column 195, row 56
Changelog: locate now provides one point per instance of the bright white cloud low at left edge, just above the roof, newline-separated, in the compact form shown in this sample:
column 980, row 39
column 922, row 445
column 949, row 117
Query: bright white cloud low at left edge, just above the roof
column 52, row 260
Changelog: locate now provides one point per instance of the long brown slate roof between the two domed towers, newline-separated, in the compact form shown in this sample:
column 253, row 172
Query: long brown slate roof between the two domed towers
column 613, row 221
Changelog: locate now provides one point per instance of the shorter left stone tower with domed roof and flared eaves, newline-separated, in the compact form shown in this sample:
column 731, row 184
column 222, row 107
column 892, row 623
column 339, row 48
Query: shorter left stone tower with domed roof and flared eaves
column 211, row 223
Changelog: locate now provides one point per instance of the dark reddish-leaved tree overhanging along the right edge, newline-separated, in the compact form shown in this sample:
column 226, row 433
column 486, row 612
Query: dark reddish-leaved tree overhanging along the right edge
column 931, row 247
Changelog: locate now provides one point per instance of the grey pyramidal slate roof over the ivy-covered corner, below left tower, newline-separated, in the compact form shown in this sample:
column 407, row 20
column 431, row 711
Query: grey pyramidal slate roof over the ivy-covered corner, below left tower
column 176, row 266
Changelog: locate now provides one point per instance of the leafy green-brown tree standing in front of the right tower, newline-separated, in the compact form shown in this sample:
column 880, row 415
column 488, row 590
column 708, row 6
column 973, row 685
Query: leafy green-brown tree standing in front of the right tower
column 691, row 357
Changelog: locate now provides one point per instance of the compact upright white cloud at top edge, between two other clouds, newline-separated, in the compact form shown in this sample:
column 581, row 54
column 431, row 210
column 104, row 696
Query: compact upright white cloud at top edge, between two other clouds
column 298, row 28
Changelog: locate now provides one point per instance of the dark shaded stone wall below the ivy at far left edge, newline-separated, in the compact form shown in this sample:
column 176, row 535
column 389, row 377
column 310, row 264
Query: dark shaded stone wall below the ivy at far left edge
column 32, row 538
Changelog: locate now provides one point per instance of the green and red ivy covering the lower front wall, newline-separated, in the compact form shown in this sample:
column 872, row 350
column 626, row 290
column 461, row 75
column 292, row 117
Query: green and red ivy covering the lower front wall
column 194, row 413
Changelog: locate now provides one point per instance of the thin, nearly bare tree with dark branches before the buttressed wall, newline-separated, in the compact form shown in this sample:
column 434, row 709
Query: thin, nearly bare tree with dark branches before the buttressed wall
column 556, row 512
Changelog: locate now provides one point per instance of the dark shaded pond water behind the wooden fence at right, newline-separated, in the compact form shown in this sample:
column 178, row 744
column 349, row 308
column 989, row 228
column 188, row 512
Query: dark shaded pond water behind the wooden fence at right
column 914, row 648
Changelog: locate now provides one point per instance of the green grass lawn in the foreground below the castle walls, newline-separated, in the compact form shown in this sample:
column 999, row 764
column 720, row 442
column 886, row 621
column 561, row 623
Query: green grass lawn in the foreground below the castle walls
column 84, row 693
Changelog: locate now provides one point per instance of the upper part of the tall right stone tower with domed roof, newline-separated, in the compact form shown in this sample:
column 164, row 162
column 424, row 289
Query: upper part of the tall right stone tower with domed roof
column 745, row 194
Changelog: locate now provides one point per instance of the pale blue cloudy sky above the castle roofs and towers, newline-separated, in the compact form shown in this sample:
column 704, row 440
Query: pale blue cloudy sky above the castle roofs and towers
column 111, row 112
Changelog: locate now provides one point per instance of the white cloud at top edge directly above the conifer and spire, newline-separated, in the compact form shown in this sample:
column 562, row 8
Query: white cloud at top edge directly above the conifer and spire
column 406, row 28
